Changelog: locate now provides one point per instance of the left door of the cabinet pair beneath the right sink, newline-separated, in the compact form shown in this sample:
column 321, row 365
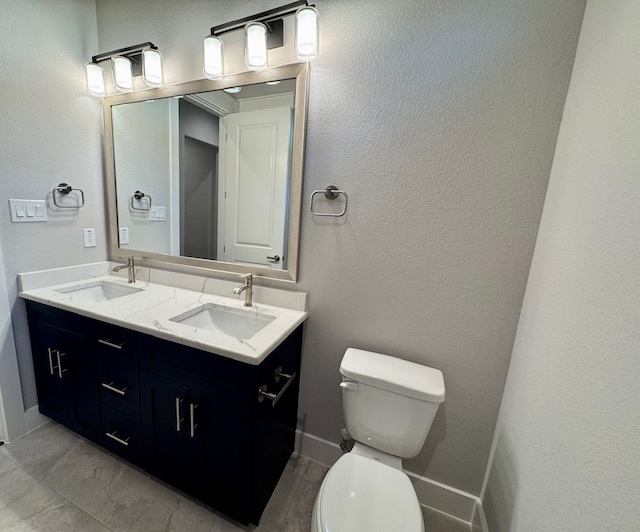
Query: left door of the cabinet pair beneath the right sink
column 165, row 429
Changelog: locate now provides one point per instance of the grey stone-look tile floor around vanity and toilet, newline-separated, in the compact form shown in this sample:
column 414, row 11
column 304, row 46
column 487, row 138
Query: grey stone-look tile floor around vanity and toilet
column 53, row 480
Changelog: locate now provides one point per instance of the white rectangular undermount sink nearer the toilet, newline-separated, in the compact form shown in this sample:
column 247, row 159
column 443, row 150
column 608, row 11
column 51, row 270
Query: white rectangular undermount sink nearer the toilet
column 239, row 323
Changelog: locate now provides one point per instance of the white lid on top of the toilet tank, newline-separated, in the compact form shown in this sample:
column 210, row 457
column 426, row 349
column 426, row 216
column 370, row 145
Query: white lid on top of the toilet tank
column 393, row 374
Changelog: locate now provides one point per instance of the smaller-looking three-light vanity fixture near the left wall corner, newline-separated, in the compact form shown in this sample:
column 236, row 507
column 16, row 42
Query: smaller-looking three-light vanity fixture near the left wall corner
column 141, row 59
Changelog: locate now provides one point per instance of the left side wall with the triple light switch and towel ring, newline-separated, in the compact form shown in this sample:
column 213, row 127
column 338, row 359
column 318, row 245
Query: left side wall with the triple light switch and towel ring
column 50, row 131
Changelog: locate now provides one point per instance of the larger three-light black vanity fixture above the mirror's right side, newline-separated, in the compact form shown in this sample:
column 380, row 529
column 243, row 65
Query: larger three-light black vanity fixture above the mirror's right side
column 264, row 31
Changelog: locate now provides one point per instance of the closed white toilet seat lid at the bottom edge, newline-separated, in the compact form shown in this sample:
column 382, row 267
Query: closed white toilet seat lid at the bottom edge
column 361, row 494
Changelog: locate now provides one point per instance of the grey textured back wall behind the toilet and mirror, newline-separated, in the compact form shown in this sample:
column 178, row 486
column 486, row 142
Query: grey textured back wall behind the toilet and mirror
column 439, row 119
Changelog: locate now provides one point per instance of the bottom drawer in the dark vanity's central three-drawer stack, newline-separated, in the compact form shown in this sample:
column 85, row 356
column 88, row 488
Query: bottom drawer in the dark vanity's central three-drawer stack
column 121, row 435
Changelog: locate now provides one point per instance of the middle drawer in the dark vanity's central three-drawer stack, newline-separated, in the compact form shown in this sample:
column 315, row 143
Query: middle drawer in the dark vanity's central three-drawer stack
column 118, row 385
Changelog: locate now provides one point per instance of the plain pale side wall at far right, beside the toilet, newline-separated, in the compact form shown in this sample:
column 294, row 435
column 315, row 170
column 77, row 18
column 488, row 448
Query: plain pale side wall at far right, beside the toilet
column 567, row 451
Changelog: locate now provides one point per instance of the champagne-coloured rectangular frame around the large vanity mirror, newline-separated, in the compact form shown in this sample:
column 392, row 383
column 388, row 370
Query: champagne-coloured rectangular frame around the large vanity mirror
column 298, row 71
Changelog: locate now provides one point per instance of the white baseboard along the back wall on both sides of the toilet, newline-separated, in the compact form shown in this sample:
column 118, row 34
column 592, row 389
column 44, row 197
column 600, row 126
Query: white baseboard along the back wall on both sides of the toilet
column 435, row 495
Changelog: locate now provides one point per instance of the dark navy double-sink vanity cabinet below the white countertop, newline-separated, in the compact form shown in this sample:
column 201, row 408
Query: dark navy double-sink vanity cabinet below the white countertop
column 189, row 417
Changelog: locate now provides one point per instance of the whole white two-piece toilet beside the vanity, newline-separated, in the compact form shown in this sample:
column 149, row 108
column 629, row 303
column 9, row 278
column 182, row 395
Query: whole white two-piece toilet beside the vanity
column 389, row 405
